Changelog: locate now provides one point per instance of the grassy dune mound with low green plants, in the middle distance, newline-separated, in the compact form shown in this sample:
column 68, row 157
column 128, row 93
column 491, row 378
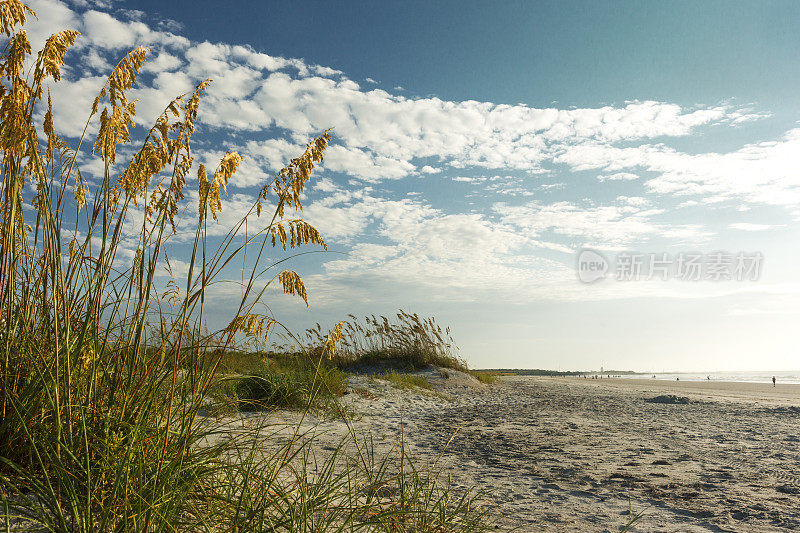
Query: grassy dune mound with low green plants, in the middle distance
column 389, row 351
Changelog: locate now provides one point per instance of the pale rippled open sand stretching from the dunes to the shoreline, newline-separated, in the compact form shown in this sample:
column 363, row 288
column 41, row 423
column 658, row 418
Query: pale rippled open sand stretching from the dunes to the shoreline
column 571, row 454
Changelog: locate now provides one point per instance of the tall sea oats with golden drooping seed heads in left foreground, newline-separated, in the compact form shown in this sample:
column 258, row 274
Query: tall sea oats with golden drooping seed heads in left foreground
column 99, row 385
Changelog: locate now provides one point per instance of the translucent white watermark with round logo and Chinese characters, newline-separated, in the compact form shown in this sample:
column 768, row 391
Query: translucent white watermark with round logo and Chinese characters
column 714, row 266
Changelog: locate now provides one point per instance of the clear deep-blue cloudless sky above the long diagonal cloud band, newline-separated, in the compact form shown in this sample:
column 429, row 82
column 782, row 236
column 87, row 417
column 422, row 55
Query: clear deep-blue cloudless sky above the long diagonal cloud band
column 573, row 53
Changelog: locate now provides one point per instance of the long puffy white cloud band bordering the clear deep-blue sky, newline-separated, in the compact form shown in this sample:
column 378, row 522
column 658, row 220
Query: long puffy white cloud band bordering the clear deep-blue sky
column 381, row 136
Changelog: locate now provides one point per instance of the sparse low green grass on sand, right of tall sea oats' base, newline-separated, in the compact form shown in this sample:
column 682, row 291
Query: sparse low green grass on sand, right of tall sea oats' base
column 292, row 487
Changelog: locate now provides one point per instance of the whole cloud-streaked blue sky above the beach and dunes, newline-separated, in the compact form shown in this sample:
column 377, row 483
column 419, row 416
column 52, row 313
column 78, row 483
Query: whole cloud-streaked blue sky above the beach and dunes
column 480, row 146
